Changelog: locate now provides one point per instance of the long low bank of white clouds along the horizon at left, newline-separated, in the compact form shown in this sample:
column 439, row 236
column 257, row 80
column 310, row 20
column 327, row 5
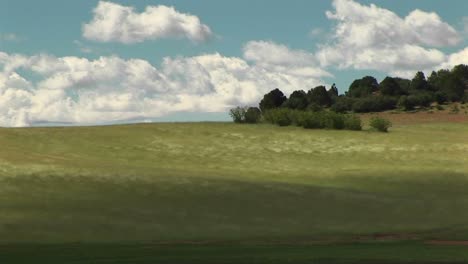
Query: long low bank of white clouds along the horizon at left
column 80, row 90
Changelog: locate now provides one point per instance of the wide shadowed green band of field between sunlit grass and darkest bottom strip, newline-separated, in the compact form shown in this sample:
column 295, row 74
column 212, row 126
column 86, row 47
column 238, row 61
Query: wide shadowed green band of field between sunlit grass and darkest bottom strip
column 75, row 209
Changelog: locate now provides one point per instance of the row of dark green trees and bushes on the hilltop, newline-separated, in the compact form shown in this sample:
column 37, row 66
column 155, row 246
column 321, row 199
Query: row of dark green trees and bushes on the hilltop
column 364, row 95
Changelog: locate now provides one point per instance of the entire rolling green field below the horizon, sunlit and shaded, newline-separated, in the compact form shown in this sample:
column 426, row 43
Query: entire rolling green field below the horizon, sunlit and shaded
column 200, row 192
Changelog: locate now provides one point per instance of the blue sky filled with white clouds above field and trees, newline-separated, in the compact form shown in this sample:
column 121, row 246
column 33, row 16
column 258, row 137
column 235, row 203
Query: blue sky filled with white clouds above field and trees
column 105, row 62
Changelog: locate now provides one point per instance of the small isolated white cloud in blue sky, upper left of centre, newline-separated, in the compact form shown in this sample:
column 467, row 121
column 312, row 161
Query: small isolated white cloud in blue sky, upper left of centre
column 117, row 23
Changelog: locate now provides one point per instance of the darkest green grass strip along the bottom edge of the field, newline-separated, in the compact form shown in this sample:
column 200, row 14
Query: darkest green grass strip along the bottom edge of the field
column 375, row 253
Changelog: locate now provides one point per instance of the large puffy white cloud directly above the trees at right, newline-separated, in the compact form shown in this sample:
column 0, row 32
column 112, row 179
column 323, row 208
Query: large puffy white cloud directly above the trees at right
column 371, row 37
